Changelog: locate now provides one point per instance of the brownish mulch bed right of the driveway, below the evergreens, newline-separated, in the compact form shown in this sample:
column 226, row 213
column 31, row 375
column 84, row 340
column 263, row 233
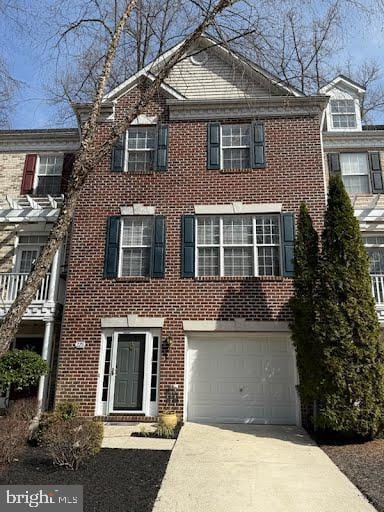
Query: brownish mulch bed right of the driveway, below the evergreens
column 363, row 464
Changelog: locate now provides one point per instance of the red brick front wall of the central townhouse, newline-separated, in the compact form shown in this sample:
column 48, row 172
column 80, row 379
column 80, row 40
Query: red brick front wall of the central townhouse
column 294, row 173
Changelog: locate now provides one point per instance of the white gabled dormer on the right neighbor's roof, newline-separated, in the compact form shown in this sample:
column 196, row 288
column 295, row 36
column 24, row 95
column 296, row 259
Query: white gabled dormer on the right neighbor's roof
column 343, row 113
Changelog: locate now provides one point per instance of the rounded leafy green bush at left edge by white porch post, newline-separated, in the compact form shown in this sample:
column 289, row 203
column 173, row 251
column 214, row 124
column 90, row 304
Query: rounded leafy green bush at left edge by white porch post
column 21, row 369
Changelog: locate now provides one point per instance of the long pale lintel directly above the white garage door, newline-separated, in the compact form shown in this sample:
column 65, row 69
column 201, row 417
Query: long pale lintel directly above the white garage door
column 236, row 325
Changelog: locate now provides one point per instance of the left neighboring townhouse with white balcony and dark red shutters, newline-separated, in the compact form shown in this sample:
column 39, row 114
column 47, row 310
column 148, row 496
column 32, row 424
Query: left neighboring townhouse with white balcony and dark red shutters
column 34, row 169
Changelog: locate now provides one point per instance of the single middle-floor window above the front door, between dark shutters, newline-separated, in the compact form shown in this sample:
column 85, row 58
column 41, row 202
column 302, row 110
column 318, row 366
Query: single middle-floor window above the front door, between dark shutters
column 136, row 243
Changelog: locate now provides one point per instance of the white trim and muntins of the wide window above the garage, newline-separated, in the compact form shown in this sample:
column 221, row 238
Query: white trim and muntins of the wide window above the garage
column 254, row 245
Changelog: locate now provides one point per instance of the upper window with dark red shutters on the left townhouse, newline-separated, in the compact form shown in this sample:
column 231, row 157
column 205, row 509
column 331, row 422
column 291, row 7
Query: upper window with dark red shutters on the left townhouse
column 49, row 170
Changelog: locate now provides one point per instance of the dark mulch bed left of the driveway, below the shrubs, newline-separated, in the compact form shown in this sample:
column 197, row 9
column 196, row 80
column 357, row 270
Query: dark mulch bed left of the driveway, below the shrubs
column 114, row 480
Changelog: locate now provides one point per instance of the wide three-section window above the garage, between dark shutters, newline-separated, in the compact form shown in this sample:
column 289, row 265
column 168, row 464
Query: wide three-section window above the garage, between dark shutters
column 238, row 246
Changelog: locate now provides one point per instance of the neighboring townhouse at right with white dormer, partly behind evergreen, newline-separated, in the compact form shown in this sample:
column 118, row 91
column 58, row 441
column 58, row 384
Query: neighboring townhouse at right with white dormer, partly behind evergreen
column 356, row 153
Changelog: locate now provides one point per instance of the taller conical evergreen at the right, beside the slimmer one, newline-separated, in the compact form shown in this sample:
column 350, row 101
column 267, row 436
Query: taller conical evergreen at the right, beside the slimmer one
column 347, row 330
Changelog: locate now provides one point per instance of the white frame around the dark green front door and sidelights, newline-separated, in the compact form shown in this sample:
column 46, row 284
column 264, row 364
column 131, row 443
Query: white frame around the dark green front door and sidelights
column 149, row 408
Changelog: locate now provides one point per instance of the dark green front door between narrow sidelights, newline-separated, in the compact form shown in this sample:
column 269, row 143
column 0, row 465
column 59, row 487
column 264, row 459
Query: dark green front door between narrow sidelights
column 129, row 374
